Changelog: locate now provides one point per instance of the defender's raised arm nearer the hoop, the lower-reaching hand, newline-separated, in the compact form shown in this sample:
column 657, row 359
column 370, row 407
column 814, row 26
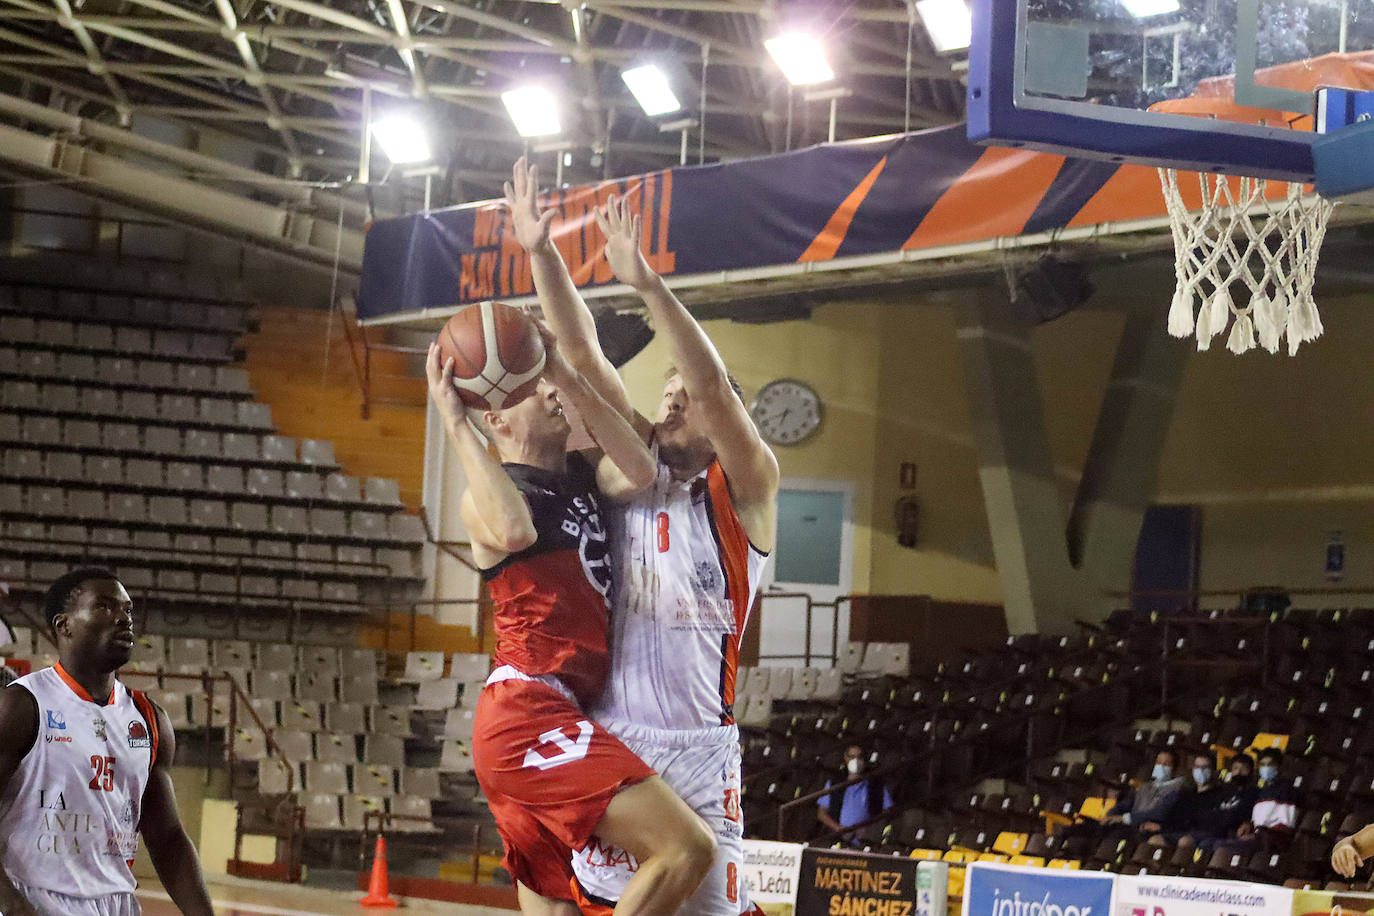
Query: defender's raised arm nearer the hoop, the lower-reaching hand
column 748, row 462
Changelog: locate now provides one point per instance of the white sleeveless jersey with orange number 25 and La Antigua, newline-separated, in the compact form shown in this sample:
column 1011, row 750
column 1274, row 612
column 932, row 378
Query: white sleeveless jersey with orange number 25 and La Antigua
column 72, row 810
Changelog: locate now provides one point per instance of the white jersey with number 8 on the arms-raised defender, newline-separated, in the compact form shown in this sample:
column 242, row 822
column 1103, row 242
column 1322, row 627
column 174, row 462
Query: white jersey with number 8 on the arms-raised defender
column 685, row 577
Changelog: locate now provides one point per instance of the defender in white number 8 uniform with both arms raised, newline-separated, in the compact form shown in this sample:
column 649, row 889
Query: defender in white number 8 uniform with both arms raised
column 689, row 553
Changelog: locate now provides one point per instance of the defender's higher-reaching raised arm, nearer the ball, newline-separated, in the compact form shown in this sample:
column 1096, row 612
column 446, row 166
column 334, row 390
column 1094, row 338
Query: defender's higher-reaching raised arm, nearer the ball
column 563, row 304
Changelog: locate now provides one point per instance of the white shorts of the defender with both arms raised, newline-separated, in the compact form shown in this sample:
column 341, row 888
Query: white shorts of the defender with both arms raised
column 703, row 767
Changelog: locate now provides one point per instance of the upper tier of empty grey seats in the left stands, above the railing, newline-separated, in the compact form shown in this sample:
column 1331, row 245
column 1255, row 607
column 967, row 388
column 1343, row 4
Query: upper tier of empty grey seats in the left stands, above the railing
column 127, row 431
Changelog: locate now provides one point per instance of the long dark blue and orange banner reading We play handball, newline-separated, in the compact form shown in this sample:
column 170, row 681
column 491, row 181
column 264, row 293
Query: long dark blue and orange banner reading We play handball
column 919, row 190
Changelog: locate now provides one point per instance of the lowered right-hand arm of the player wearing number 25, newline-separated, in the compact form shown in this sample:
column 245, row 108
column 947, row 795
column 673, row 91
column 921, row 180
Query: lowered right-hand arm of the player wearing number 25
column 170, row 848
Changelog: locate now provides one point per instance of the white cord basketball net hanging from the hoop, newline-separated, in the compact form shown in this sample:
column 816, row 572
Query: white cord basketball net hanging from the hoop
column 1270, row 247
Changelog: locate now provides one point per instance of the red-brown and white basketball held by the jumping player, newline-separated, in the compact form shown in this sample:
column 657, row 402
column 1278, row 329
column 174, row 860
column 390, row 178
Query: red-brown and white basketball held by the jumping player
column 498, row 355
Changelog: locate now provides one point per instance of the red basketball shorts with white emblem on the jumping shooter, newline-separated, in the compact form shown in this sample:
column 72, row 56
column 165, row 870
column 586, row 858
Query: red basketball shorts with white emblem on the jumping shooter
column 548, row 772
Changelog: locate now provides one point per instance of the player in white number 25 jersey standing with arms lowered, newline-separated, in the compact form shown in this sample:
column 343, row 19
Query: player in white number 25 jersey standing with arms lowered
column 86, row 768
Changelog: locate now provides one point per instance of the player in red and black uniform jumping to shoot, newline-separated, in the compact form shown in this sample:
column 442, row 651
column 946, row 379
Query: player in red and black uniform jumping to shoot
column 552, row 775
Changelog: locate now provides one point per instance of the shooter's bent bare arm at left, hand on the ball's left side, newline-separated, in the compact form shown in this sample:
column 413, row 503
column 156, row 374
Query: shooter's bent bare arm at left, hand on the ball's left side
column 494, row 512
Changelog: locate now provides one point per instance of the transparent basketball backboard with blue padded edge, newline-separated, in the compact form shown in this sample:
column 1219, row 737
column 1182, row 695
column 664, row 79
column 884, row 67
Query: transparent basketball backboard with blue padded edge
column 1208, row 86
